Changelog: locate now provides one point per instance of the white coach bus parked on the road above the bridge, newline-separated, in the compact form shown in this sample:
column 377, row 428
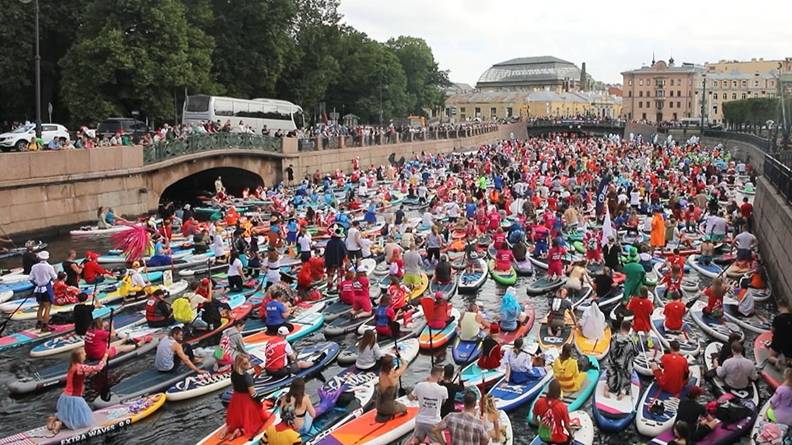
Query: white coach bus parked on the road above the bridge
column 273, row 114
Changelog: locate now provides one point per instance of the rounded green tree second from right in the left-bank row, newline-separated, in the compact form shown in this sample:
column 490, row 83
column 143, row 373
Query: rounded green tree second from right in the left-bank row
column 373, row 84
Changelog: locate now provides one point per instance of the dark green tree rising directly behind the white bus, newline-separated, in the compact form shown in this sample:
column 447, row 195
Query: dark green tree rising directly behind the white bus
column 253, row 44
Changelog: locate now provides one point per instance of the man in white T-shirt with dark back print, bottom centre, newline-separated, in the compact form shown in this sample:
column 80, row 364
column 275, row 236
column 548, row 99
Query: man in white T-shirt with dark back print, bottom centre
column 430, row 396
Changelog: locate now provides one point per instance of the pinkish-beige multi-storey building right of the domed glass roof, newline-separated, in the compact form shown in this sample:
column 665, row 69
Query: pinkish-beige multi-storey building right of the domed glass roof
column 661, row 92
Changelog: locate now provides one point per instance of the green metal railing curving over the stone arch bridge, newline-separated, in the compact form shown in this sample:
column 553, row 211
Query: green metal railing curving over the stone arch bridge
column 162, row 150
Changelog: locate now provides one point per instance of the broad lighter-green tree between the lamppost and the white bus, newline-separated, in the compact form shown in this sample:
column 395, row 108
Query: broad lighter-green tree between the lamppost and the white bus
column 134, row 55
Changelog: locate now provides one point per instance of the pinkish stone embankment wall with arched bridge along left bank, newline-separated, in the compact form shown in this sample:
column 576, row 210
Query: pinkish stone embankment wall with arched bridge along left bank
column 60, row 189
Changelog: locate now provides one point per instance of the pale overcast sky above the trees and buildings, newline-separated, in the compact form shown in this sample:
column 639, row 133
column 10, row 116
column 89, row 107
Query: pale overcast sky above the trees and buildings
column 468, row 36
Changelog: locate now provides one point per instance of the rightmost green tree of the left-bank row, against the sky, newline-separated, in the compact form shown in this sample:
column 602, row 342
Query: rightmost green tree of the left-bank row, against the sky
column 425, row 82
